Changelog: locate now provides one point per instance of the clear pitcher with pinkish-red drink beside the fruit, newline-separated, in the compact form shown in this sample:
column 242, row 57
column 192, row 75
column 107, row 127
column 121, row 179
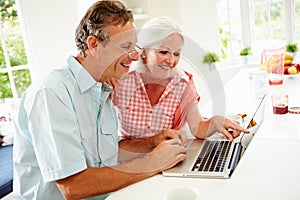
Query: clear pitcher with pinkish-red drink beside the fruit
column 273, row 61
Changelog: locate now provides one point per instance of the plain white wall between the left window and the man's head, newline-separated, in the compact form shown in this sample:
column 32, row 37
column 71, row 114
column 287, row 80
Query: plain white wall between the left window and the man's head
column 49, row 30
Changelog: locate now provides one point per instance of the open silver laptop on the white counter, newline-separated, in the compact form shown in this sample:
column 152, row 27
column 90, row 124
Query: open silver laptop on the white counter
column 217, row 158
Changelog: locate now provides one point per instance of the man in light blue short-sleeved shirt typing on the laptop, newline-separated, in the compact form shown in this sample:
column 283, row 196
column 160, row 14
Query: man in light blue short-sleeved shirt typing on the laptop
column 66, row 144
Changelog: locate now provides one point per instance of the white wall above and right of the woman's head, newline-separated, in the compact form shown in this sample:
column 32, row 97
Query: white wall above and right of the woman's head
column 198, row 18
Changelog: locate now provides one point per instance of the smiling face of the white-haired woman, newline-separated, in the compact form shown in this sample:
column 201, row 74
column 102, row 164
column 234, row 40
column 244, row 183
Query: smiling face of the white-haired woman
column 161, row 61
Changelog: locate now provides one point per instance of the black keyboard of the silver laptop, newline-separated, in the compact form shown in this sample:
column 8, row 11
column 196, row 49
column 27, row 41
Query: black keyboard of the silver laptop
column 213, row 156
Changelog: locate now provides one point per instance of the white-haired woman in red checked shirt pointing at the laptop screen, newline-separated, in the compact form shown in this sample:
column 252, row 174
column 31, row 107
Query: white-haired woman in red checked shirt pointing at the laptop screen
column 156, row 95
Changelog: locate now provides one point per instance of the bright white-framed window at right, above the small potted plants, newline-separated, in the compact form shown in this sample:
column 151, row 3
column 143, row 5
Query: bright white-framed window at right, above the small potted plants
column 263, row 24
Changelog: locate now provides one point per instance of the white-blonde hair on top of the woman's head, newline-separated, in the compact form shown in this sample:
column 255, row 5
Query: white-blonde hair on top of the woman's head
column 154, row 31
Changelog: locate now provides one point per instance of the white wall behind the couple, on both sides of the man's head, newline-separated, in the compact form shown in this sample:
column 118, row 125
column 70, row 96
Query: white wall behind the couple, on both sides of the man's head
column 50, row 26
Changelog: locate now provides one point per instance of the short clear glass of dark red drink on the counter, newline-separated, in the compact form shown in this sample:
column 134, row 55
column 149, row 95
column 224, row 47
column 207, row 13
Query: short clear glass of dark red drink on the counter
column 280, row 104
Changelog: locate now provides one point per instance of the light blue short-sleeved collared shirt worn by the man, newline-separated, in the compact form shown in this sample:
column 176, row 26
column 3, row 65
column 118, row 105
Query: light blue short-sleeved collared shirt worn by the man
column 65, row 124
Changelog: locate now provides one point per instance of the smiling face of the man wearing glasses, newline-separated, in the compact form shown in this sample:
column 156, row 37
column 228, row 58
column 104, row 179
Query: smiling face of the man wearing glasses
column 122, row 47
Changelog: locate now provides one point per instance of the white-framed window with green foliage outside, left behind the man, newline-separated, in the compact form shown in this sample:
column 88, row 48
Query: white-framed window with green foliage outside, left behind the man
column 14, row 69
